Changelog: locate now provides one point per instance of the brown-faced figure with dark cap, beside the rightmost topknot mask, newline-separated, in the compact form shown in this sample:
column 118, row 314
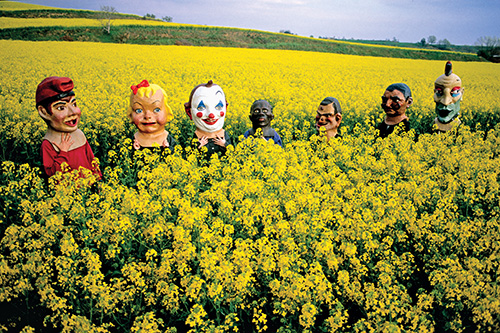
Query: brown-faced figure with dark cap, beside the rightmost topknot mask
column 395, row 101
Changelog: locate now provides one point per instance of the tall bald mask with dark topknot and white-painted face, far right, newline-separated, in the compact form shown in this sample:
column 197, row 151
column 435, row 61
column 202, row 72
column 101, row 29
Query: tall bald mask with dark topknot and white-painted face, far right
column 448, row 92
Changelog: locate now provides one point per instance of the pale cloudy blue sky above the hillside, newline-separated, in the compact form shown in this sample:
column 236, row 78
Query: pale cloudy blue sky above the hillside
column 459, row 21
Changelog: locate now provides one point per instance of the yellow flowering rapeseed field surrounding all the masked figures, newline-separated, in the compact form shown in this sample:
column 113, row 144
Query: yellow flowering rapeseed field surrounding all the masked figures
column 358, row 234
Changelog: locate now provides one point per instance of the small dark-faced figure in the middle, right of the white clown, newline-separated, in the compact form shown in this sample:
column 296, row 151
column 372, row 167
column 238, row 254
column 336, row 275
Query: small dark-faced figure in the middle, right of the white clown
column 261, row 114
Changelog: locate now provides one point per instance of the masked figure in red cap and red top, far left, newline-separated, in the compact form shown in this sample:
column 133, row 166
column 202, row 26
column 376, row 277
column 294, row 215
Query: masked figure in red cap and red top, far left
column 63, row 142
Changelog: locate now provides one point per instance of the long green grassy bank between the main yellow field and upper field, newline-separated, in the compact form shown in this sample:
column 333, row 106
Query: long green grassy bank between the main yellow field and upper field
column 213, row 36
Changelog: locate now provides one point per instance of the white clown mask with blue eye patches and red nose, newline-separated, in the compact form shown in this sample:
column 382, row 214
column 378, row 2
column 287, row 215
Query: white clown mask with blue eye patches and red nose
column 208, row 108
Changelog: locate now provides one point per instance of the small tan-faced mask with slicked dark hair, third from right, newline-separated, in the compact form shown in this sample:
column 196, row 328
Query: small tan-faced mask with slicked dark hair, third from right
column 329, row 117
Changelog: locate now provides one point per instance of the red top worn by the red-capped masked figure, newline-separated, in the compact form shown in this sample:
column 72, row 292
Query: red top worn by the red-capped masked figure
column 79, row 157
